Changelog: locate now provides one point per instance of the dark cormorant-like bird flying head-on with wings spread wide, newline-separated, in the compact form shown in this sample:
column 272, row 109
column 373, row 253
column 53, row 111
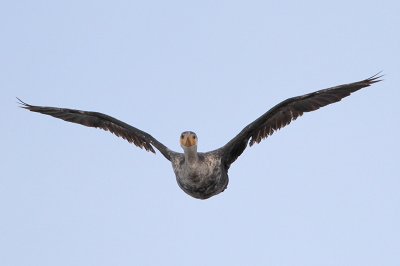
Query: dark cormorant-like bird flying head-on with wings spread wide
column 205, row 174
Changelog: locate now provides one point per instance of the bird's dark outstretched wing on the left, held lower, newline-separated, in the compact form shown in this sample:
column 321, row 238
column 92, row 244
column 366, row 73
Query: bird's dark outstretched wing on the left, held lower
column 108, row 123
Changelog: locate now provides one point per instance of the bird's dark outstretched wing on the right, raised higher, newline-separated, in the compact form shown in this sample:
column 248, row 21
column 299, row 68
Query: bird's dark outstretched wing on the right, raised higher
column 285, row 112
